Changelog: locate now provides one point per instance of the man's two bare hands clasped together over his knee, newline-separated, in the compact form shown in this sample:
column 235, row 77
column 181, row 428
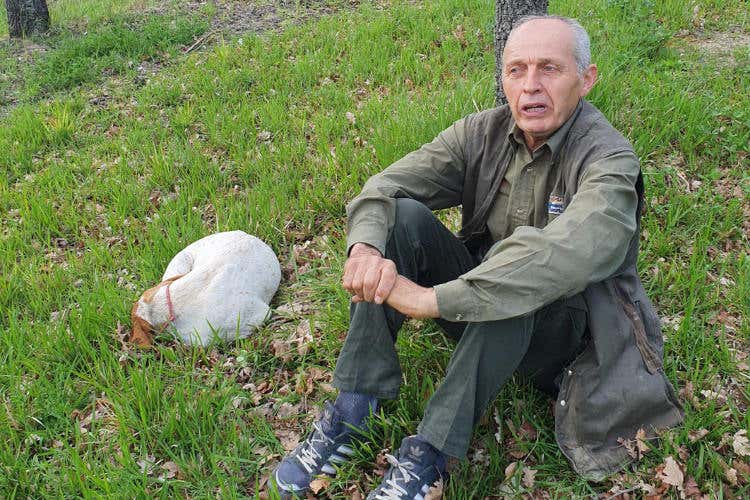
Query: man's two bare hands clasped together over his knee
column 369, row 277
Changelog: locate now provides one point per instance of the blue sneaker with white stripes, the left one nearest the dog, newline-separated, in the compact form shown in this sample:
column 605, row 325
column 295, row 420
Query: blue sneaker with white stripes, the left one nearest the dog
column 327, row 446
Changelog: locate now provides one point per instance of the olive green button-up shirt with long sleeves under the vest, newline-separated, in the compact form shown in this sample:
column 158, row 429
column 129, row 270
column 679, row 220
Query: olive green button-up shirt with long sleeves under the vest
column 533, row 240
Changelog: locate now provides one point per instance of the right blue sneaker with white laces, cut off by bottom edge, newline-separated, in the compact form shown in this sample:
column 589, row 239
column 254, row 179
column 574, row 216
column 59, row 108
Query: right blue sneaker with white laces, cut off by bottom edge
column 418, row 467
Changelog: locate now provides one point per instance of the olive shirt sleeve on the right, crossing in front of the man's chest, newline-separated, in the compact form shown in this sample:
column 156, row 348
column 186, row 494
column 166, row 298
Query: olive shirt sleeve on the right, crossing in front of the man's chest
column 534, row 267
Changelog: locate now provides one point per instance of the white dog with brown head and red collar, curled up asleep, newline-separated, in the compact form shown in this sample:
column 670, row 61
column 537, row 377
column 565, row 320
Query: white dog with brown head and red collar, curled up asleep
column 219, row 286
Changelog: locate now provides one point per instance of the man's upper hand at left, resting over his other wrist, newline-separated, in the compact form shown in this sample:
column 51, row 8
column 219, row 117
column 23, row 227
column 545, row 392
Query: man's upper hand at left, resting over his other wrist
column 368, row 276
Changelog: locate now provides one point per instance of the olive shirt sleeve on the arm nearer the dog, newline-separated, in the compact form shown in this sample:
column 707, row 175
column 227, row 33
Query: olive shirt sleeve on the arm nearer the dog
column 433, row 175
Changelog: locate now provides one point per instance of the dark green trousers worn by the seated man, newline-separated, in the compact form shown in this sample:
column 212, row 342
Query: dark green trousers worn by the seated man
column 538, row 345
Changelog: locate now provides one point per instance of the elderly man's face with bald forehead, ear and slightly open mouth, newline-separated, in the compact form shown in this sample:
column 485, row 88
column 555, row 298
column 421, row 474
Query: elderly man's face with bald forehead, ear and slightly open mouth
column 541, row 79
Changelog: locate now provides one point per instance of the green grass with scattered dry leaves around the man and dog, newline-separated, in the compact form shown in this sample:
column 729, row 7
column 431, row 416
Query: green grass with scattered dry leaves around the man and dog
column 254, row 136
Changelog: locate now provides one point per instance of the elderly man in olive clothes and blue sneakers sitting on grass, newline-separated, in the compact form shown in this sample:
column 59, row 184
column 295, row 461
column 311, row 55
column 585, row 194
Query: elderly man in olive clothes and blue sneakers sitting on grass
column 541, row 280
